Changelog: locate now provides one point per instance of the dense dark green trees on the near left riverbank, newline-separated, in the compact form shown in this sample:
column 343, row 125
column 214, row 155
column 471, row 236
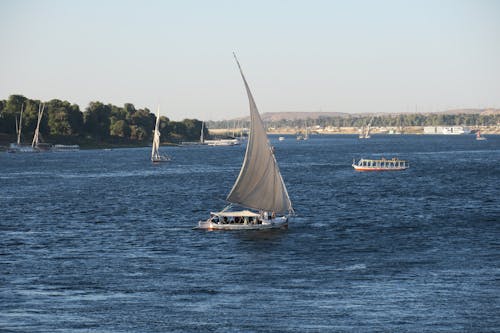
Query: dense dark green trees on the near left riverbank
column 99, row 123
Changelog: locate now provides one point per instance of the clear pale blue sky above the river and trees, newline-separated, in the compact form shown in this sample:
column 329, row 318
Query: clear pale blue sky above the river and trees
column 342, row 56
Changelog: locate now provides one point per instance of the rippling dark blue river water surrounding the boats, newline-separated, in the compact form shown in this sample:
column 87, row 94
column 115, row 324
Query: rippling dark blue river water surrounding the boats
column 101, row 241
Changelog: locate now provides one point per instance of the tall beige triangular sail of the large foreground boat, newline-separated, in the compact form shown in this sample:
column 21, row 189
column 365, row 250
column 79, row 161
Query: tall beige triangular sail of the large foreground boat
column 259, row 184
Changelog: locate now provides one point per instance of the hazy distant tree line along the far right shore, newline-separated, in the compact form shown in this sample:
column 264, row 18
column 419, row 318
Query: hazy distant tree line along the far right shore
column 400, row 120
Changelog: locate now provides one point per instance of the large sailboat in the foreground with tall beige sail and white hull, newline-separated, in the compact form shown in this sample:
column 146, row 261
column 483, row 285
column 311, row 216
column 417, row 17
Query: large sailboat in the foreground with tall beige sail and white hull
column 259, row 188
